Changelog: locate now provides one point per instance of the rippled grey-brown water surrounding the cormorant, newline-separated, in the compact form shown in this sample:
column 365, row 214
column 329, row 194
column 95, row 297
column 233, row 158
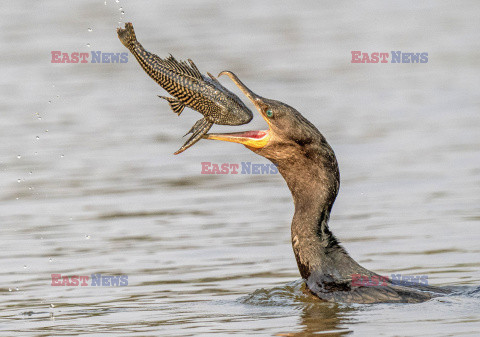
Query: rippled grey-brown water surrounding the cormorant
column 101, row 192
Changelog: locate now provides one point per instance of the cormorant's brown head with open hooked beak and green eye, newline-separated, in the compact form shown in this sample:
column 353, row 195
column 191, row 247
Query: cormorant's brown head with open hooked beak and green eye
column 288, row 136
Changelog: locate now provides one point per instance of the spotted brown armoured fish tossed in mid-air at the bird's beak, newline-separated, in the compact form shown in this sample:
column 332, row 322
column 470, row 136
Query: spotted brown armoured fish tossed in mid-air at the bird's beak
column 189, row 88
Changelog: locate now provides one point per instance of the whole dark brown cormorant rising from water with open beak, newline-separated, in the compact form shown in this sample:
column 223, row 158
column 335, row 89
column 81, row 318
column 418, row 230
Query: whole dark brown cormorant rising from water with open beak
column 309, row 166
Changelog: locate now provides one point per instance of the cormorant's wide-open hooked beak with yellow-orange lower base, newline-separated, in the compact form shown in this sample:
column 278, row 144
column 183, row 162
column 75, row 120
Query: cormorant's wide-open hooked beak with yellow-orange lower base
column 251, row 139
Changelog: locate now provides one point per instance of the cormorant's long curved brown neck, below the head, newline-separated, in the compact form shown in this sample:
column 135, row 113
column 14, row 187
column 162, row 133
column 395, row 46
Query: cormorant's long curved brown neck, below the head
column 313, row 178
